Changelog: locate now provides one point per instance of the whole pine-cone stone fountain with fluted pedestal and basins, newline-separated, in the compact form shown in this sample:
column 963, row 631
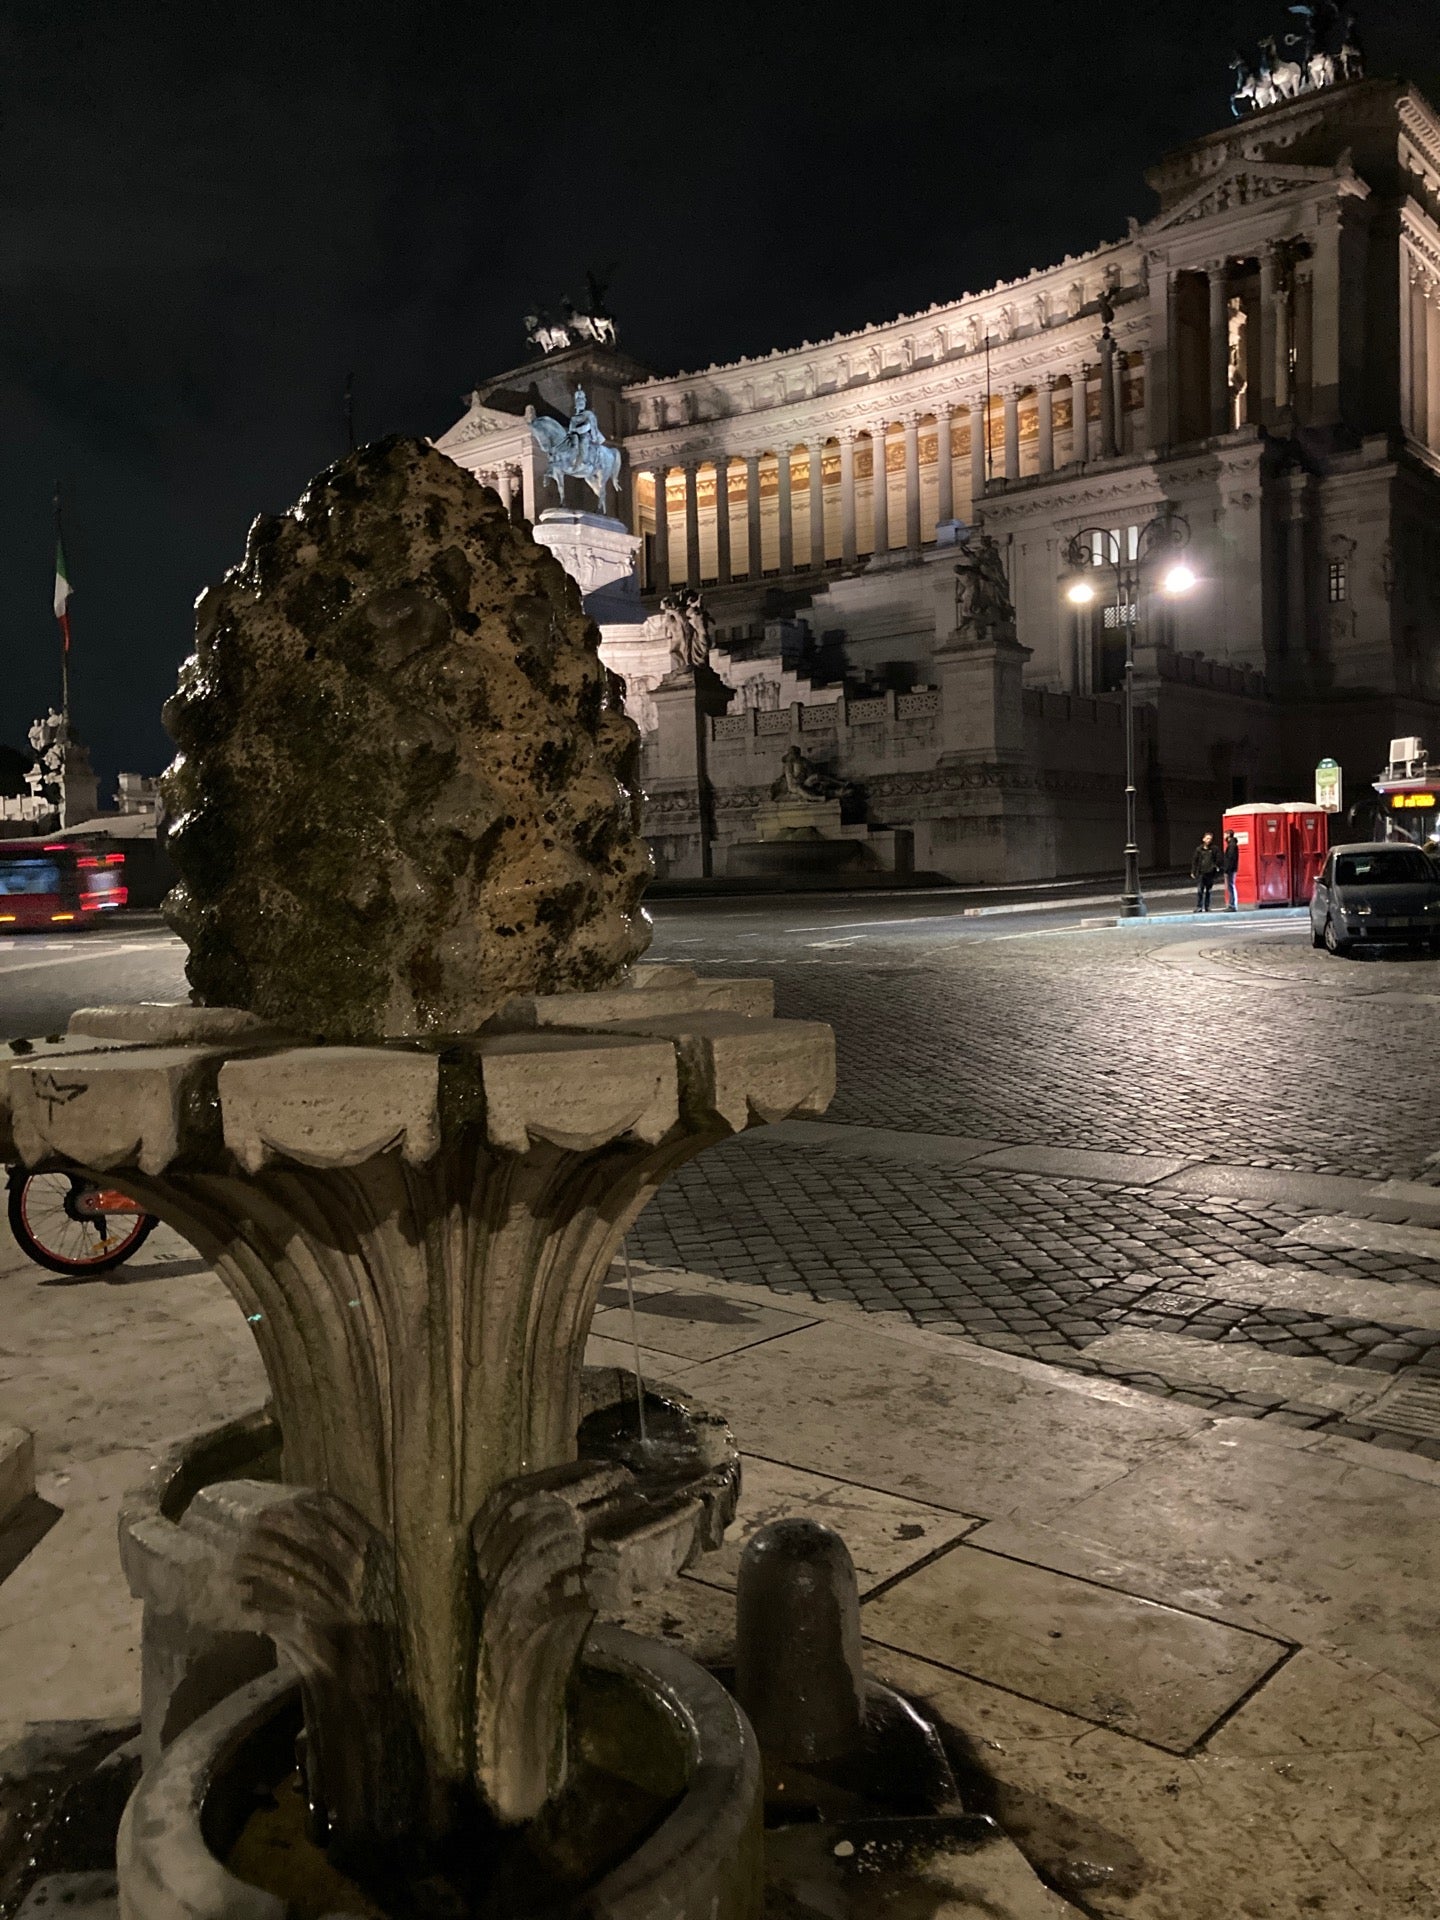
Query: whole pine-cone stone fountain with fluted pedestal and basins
column 420, row 1095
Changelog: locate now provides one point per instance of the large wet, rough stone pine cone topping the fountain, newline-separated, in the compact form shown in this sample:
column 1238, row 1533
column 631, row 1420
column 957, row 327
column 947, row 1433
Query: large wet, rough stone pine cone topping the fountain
column 402, row 796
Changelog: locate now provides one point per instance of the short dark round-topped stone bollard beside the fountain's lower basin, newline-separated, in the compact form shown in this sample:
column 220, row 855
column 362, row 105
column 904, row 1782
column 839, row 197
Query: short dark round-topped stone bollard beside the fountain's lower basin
column 800, row 1673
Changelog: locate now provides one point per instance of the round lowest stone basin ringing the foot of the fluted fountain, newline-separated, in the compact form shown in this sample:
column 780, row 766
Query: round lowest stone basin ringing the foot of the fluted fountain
column 648, row 1719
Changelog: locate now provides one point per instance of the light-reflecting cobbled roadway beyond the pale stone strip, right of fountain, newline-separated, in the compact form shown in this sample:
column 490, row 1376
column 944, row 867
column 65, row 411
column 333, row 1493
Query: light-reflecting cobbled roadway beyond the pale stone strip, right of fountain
column 1253, row 1051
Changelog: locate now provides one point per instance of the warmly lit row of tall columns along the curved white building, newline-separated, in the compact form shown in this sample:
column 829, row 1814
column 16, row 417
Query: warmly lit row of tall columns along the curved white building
column 834, row 525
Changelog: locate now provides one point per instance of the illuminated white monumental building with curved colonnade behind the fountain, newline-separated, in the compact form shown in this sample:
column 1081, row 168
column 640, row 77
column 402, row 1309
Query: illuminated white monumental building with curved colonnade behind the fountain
column 1260, row 354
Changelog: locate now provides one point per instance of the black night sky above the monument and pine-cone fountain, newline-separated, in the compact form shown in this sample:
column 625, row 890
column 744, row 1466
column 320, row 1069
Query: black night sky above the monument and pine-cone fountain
column 214, row 214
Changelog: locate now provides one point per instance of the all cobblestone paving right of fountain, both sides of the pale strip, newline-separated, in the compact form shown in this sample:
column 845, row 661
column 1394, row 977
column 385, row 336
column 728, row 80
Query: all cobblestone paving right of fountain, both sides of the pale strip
column 1234, row 1049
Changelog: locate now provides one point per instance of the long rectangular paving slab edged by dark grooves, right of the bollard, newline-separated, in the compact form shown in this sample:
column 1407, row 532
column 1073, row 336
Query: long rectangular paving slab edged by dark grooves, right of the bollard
column 1151, row 1671
